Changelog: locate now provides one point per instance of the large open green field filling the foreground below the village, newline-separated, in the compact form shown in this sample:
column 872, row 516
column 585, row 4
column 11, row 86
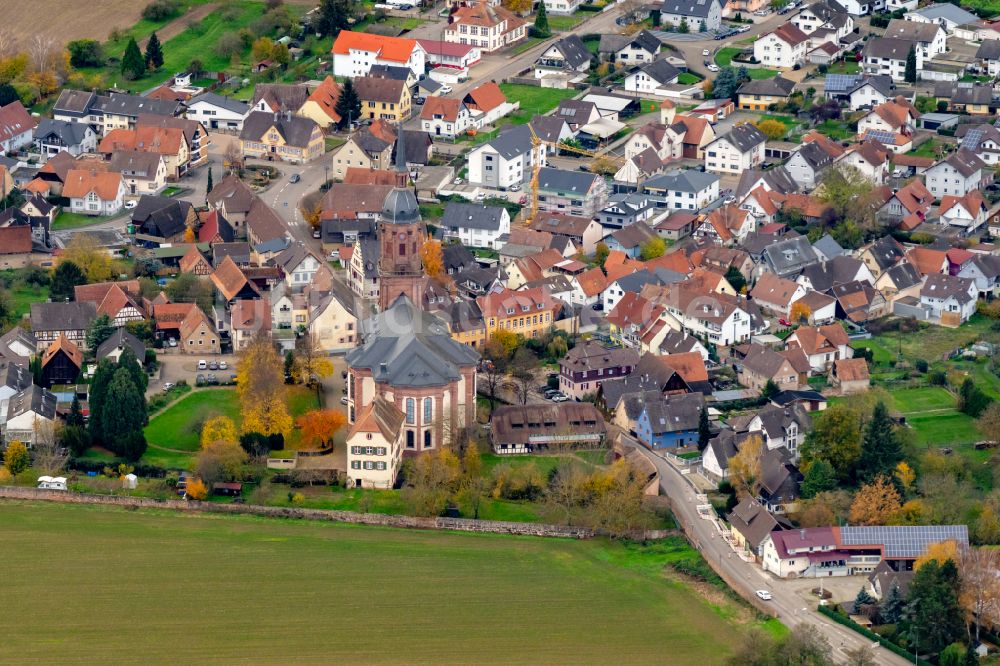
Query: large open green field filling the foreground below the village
column 85, row 584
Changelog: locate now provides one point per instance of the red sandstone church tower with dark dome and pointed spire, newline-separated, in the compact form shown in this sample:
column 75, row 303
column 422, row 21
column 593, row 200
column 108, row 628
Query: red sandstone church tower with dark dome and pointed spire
column 401, row 235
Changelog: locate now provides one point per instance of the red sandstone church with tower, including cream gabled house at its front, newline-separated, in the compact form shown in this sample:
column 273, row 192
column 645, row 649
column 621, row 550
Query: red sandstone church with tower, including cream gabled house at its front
column 408, row 365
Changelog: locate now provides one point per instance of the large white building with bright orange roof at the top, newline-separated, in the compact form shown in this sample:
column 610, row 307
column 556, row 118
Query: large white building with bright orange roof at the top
column 354, row 53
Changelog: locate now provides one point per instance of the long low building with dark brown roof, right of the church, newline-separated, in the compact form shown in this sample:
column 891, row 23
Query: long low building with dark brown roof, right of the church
column 521, row 429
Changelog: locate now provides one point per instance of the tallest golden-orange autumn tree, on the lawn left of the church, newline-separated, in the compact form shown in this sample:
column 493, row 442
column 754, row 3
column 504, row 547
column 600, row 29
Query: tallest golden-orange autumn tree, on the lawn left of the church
column 261, row 389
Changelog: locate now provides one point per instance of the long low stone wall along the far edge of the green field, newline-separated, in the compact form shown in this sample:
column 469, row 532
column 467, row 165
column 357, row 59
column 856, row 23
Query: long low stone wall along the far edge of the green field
column 376, row 519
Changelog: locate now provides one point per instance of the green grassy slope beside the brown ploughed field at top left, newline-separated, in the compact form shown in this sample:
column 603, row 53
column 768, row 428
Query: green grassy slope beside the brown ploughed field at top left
column 195, row 42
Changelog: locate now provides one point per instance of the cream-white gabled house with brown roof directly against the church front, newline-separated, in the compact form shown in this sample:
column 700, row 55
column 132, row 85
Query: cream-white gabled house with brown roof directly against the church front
column 374, row 445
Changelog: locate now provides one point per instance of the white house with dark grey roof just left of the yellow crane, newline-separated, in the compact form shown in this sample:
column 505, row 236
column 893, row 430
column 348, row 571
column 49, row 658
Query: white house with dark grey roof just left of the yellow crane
column 506, row 161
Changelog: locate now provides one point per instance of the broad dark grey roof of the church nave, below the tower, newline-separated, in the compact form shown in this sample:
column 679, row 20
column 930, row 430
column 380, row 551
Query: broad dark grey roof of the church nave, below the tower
column 406, row 347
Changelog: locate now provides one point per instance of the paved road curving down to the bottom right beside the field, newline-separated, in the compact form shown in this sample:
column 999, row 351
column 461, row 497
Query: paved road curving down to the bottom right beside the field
column 792, row 606
